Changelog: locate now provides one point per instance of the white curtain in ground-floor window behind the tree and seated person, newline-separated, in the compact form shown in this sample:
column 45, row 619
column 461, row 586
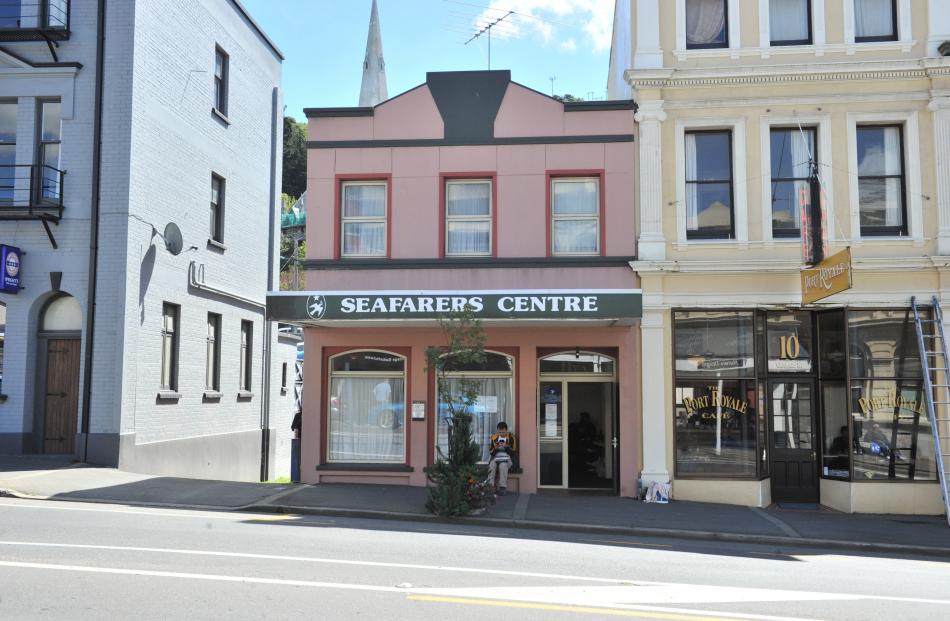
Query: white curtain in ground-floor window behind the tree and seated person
column 493, row 405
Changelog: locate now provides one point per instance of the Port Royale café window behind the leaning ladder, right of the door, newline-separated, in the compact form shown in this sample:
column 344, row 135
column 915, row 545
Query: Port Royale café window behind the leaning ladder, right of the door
column 891, row 437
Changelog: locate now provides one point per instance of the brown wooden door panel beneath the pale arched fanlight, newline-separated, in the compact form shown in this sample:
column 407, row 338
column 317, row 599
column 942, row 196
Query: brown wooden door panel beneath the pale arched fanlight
column 62, row 395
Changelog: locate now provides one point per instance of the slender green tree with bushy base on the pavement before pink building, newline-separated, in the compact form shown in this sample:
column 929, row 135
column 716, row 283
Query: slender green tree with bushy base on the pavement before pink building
column 456, row 488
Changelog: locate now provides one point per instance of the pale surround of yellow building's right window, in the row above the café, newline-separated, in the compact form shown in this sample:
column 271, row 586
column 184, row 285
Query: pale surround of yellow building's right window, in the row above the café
column 909, row 119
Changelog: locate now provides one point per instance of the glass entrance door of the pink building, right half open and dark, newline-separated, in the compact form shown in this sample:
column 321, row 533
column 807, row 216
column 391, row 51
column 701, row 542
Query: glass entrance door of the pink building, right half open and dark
column 578, row 434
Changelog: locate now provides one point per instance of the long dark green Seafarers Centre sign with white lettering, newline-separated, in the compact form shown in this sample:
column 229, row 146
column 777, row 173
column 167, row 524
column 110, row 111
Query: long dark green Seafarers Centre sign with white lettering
column 328, row 306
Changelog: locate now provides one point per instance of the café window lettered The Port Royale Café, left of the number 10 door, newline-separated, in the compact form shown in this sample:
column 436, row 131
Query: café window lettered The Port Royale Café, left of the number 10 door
column 717, row 403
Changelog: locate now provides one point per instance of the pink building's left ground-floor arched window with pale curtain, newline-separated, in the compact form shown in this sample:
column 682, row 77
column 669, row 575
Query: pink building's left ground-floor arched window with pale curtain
column 366, row 408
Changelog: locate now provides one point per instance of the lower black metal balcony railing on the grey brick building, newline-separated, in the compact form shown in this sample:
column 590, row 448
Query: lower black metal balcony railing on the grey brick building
column 31, row 192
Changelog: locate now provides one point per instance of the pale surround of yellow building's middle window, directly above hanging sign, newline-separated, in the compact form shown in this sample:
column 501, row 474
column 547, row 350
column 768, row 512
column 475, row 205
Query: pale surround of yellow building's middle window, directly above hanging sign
column 823, row 145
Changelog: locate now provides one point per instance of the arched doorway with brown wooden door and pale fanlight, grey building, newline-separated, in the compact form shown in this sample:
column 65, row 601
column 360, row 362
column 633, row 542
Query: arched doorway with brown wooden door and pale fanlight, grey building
column 58, row 375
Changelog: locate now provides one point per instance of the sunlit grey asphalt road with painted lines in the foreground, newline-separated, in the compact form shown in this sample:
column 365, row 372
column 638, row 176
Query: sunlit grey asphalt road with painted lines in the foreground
column 63, row 560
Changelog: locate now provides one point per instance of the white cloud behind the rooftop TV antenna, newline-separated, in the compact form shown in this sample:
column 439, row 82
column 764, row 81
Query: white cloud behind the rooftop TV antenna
column 554, row 20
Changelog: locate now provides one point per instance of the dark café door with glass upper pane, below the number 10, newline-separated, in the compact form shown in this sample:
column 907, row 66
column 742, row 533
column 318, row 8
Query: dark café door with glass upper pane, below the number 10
column 794, row 460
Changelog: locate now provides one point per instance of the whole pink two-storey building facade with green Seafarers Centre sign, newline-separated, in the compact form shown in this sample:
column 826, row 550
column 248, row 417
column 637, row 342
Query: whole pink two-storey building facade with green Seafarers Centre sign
column 471, row 190
